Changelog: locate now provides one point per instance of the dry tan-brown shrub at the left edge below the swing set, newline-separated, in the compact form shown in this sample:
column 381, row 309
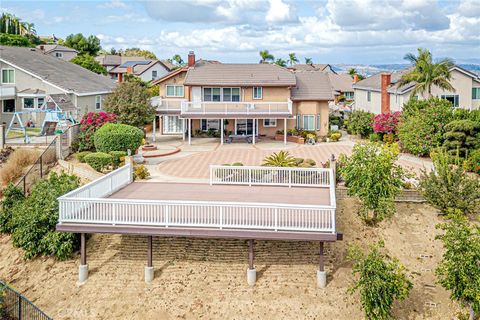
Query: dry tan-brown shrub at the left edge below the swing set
column 13, row 168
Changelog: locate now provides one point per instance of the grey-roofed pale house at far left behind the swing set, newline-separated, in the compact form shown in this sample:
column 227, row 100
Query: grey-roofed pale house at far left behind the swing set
column 28, row 76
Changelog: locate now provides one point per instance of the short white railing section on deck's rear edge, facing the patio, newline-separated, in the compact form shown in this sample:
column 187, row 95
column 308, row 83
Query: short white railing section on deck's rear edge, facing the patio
column 276, row 176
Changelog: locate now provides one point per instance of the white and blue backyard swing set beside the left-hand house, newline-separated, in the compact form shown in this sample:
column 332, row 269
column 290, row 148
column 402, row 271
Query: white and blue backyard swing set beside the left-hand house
column 58, row 113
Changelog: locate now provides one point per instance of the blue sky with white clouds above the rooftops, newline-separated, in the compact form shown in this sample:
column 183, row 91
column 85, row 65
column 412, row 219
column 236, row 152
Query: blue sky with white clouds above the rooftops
column 328, row 31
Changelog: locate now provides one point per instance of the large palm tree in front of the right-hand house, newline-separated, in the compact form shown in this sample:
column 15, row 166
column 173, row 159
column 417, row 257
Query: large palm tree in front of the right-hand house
column 425, row 73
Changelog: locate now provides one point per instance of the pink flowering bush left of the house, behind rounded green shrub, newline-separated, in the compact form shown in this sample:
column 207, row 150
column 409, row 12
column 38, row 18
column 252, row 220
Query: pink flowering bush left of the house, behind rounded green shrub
column 89, row 125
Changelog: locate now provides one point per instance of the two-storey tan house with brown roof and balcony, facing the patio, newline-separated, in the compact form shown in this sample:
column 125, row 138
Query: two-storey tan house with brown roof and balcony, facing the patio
column 251, row 99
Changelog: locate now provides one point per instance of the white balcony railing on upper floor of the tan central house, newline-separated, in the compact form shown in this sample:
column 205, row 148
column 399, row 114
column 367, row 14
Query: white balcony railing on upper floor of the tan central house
column 247, row 108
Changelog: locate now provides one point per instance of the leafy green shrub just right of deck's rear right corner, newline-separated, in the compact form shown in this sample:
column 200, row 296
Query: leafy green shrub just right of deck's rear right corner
column 371, row 174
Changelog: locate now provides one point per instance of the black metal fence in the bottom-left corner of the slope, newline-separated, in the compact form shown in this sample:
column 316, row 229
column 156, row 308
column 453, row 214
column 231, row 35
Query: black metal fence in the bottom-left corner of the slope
column 14, row 305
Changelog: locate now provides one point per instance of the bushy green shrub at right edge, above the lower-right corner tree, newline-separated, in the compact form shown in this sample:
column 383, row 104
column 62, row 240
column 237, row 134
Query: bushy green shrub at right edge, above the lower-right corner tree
column 448, row 187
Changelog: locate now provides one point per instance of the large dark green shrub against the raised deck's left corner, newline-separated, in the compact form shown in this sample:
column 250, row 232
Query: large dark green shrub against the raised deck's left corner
column 36, row 217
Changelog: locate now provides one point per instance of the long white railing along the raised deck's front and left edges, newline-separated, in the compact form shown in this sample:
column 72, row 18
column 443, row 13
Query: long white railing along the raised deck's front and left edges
column 88, row 204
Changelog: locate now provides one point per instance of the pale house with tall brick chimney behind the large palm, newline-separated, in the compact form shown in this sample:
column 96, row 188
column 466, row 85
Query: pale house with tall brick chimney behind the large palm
column 380, row 92
